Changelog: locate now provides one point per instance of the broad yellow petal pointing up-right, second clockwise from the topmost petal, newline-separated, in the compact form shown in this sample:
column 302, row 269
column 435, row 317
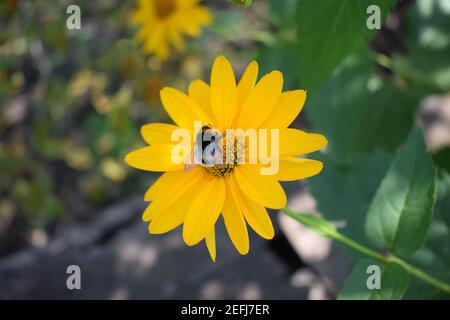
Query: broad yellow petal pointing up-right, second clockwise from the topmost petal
column 261, row 101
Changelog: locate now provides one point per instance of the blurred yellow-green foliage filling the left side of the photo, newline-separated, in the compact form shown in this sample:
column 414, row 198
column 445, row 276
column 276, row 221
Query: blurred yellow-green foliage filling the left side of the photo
column 70, row 103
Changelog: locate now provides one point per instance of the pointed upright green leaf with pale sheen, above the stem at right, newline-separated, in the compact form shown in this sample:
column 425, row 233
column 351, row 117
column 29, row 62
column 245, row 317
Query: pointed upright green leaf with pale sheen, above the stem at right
column 400, row 213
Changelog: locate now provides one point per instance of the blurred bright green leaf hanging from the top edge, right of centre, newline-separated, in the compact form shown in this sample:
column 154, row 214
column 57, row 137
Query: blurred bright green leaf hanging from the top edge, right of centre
column 329, row 31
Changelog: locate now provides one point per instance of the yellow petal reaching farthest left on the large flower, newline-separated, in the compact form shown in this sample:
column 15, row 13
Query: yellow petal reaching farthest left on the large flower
column 153, row 158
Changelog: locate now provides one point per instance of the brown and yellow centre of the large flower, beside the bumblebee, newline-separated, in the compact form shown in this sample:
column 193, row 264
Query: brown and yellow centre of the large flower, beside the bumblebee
column 232, row 153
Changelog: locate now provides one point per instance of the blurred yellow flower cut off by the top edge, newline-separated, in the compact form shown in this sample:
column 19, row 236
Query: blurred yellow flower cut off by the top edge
column 163, row 23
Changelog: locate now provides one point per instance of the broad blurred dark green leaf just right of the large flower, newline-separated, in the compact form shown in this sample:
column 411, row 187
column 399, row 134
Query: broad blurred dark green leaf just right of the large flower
column 358, row 112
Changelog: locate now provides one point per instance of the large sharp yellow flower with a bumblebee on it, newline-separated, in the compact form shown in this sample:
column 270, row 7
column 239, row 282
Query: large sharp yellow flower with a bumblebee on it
column 239, row 191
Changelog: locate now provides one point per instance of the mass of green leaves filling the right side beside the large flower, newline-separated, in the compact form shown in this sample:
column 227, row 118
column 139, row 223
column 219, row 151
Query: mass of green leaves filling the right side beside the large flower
column 364, row 88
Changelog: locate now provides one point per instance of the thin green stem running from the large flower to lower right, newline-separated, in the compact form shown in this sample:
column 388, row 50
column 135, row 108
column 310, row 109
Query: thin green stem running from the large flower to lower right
column 334, row 234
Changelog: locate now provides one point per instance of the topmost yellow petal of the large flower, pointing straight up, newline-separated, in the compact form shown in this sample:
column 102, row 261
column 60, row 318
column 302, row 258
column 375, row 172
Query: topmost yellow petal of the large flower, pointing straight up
column 223, row 93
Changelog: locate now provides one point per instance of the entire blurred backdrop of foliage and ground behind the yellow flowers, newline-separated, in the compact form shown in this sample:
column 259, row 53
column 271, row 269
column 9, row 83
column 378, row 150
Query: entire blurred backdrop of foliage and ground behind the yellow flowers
column 72, row 103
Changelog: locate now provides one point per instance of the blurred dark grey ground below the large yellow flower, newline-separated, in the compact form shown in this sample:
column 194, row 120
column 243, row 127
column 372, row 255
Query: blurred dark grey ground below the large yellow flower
column 119, row 260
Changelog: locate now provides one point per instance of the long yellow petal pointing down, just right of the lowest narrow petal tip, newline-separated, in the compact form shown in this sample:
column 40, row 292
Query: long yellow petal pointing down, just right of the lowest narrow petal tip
column 234, row 222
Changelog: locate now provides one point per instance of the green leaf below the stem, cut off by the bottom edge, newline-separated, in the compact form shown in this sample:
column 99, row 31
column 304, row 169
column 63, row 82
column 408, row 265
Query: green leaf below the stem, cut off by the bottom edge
column 393, row 282
